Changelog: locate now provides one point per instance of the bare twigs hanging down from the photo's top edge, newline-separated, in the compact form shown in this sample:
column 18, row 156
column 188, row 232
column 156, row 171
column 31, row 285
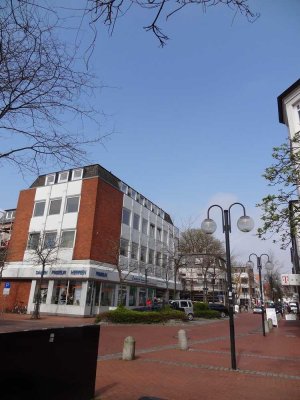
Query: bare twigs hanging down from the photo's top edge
column 109, row 11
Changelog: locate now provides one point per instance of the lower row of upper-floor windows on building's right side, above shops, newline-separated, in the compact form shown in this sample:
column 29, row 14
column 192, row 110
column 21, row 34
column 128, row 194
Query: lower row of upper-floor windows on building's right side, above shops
column 142, row 253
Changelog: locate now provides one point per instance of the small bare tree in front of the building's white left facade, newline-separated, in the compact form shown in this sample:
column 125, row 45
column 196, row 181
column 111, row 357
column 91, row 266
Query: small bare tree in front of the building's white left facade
column 43, row 248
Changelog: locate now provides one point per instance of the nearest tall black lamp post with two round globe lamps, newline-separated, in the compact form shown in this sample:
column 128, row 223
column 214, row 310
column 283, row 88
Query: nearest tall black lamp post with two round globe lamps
column 244, row 224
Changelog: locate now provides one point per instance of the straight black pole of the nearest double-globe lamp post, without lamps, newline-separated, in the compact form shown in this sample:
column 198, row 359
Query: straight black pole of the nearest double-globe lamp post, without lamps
column 230, row 294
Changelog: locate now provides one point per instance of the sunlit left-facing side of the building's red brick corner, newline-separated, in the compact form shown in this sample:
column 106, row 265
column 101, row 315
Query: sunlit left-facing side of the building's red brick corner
column 85, row 222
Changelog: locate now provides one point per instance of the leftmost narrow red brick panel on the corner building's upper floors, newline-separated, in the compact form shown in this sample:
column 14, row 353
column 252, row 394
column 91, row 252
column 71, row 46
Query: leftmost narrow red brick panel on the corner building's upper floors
column 18, row 241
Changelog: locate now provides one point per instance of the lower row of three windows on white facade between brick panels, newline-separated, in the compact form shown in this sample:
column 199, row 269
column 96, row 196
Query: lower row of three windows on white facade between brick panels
column 50, row 239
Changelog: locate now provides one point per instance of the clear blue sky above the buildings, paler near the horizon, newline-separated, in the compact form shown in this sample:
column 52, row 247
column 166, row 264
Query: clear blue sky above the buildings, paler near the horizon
column 193, row 123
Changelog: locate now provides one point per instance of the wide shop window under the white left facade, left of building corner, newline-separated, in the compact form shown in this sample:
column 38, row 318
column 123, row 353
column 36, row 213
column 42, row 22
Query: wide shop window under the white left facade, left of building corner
column 66, row 293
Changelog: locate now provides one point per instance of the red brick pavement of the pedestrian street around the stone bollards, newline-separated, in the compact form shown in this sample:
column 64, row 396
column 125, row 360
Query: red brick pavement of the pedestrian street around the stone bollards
column 268, row 367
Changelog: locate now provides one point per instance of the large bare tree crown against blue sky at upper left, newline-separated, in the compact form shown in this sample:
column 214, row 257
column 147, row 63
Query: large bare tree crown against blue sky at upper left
column 43, row 95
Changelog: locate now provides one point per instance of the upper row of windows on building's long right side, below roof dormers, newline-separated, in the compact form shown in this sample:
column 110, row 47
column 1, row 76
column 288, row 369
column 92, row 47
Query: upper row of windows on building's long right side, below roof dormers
column 143, row 224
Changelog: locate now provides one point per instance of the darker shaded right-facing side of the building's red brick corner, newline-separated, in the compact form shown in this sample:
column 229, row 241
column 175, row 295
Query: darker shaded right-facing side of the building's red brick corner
column 107, row 224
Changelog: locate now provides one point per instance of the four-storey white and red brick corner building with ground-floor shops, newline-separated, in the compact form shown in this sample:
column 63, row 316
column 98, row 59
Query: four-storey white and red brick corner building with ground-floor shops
column 109, row 241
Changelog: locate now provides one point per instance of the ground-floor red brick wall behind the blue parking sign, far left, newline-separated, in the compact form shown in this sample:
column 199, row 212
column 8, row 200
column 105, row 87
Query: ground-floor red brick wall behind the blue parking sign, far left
column 18, row 294
